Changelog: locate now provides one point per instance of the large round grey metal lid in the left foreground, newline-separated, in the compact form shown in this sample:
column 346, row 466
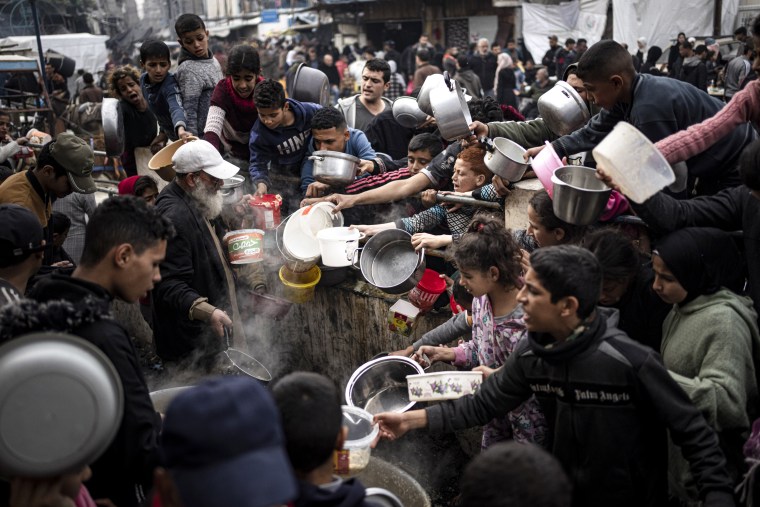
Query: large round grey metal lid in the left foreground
column 61, row 403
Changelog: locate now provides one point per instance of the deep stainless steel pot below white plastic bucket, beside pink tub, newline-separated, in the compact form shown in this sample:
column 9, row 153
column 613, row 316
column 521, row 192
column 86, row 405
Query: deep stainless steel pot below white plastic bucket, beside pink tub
column 579, row 197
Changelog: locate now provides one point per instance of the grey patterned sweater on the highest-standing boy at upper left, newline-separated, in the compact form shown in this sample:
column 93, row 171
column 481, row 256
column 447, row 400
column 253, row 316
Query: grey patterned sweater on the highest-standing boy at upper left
column 197, row 78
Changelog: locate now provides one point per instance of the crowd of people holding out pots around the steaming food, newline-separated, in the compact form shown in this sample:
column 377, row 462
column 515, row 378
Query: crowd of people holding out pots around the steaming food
column 620, row 360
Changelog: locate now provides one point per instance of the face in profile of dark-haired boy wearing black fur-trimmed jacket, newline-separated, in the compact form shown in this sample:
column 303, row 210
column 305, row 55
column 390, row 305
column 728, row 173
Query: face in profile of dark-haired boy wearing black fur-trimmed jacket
column 140, row 272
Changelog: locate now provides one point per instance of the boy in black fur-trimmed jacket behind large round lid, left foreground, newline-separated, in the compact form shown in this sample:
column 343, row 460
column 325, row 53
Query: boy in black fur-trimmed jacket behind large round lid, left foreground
column 126, row 241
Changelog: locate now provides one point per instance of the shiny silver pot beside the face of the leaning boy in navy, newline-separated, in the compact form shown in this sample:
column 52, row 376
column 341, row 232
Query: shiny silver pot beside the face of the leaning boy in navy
column 563, row 109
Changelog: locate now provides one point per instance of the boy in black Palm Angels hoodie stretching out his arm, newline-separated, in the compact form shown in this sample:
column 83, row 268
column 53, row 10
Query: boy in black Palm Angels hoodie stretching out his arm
column 608, row 400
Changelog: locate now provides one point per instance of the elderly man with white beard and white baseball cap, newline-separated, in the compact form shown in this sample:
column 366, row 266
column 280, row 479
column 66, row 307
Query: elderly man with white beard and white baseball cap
column 195, row 299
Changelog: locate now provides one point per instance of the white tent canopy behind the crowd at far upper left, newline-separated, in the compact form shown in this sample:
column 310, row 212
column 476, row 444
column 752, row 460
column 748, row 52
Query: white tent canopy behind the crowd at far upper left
column 87, row 50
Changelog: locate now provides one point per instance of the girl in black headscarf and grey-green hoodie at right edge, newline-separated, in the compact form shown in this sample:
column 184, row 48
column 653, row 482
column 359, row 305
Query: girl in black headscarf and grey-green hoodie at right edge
column 710, row 340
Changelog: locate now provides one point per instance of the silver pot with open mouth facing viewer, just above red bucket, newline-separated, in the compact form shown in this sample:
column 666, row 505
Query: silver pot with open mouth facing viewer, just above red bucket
column 389, row 262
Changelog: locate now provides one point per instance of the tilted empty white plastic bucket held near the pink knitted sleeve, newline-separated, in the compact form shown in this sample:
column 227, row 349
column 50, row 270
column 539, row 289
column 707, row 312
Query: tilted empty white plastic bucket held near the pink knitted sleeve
column 633, row 162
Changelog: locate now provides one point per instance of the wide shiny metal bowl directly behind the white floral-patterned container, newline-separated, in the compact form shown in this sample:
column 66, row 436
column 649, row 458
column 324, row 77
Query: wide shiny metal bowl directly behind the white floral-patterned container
column 380, row 385
